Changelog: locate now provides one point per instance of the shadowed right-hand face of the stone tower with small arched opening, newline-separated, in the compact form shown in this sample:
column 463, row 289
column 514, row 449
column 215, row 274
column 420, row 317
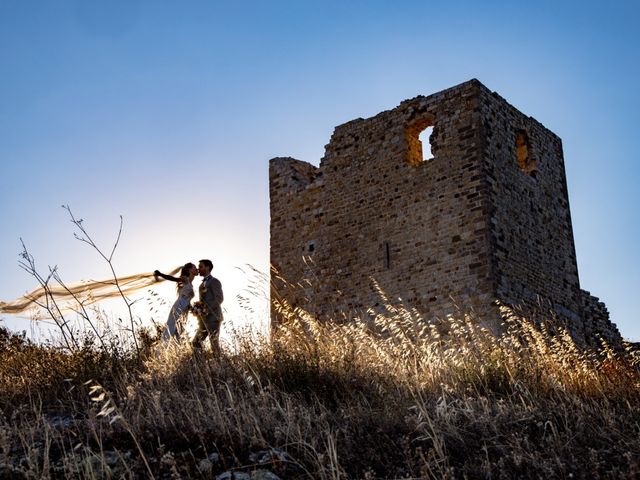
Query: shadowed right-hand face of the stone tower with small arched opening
column 532, row 236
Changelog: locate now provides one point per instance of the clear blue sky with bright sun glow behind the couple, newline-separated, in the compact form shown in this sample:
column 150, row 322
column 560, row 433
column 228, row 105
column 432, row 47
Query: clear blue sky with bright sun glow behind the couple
column 167, row 113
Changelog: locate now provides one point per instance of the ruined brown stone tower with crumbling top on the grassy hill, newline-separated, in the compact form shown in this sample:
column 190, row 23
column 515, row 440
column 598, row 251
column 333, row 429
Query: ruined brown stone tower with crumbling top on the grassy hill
column 485, row 217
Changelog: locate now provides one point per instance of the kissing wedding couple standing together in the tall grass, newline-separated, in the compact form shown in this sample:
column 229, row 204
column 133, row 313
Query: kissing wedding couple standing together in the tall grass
column 207, row 310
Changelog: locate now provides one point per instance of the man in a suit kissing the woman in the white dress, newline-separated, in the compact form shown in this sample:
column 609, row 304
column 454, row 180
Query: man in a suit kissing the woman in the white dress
column 211, row 296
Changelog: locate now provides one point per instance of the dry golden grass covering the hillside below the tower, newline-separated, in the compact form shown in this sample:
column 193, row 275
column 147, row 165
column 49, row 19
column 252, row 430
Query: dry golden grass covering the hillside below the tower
column 384, row 399
